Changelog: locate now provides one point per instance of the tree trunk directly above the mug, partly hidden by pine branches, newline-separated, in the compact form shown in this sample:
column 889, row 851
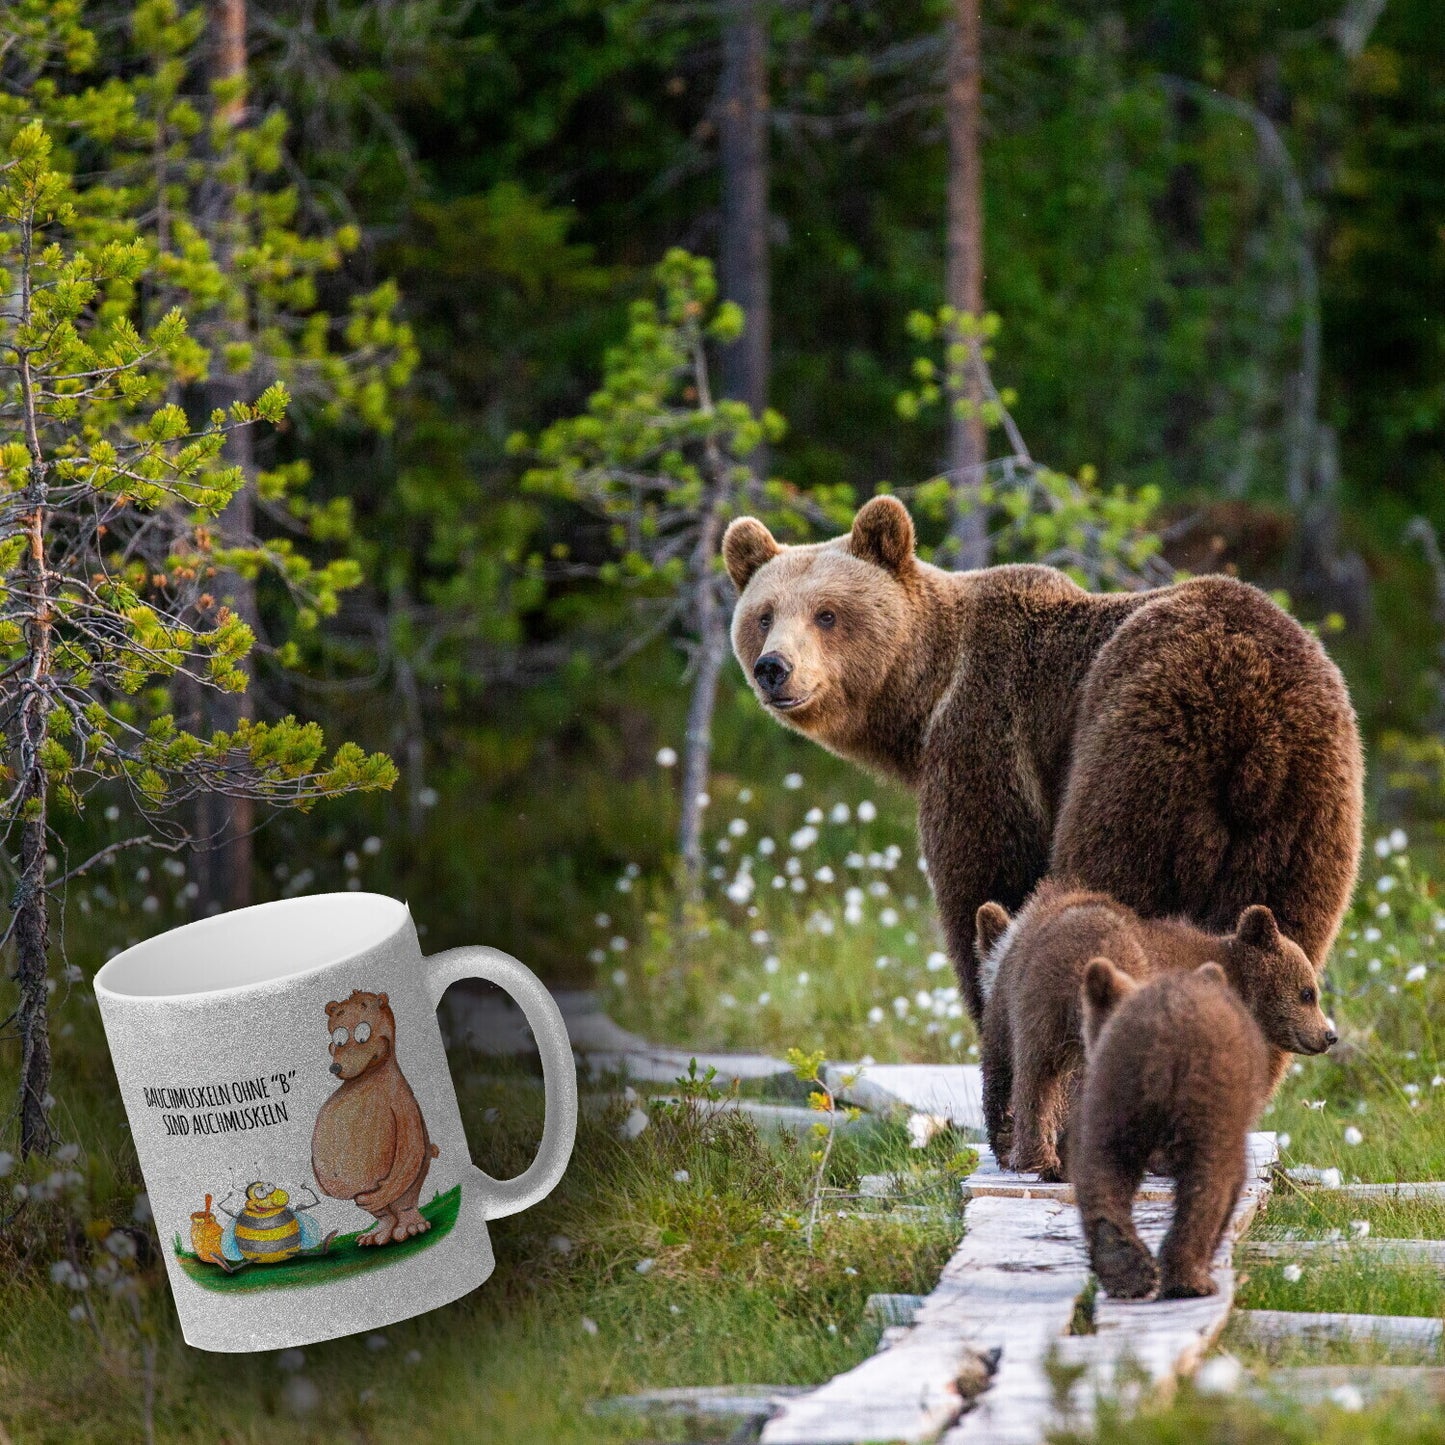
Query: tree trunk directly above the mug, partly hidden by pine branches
column 223, row 826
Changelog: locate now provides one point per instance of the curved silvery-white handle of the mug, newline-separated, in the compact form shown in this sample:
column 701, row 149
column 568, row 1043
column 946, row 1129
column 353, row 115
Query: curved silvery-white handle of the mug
column 558, row 1069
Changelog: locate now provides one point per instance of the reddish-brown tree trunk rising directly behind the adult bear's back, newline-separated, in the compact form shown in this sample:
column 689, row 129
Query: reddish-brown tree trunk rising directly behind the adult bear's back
column 965, row 275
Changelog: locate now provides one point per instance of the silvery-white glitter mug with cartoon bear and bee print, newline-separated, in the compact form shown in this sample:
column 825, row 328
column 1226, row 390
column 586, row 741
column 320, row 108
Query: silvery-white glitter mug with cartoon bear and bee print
column 288, row 1093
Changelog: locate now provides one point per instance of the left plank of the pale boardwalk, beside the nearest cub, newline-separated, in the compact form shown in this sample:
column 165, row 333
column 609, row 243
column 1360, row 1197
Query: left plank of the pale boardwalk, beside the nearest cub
column 1011, row 1285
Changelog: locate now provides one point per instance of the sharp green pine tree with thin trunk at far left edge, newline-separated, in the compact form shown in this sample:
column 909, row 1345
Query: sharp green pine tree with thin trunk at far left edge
column 109, row 506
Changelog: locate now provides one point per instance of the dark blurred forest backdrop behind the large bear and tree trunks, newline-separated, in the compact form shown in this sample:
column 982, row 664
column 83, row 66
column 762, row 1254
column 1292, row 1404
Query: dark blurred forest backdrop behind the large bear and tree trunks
column 1178, row 200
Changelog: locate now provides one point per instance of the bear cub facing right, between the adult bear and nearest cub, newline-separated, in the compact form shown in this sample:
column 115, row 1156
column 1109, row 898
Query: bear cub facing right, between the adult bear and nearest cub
column 1031, row 972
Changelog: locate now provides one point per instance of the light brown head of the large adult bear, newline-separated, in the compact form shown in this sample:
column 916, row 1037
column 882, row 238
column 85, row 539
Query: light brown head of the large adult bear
column 817, row 628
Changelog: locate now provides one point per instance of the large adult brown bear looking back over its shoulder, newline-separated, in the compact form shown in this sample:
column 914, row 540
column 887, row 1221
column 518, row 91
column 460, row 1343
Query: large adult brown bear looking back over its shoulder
column 1189, row 751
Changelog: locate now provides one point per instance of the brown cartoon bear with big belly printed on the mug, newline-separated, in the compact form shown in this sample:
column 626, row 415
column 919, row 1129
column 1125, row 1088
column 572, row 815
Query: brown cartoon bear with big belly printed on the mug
column 371, row 1141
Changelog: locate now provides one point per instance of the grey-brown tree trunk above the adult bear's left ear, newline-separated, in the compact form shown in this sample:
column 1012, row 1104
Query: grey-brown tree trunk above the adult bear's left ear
column 743, row 262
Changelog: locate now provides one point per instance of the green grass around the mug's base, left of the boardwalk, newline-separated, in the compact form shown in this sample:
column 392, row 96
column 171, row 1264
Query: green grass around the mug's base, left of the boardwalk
column 733, row 1294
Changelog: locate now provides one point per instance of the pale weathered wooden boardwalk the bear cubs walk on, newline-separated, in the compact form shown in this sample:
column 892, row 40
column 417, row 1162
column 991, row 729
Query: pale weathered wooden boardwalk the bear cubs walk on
column 1008, row 1298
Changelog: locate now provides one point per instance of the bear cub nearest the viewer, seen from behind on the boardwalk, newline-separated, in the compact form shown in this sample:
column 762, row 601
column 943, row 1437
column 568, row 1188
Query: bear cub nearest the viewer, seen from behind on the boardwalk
column 1178, row 1070
